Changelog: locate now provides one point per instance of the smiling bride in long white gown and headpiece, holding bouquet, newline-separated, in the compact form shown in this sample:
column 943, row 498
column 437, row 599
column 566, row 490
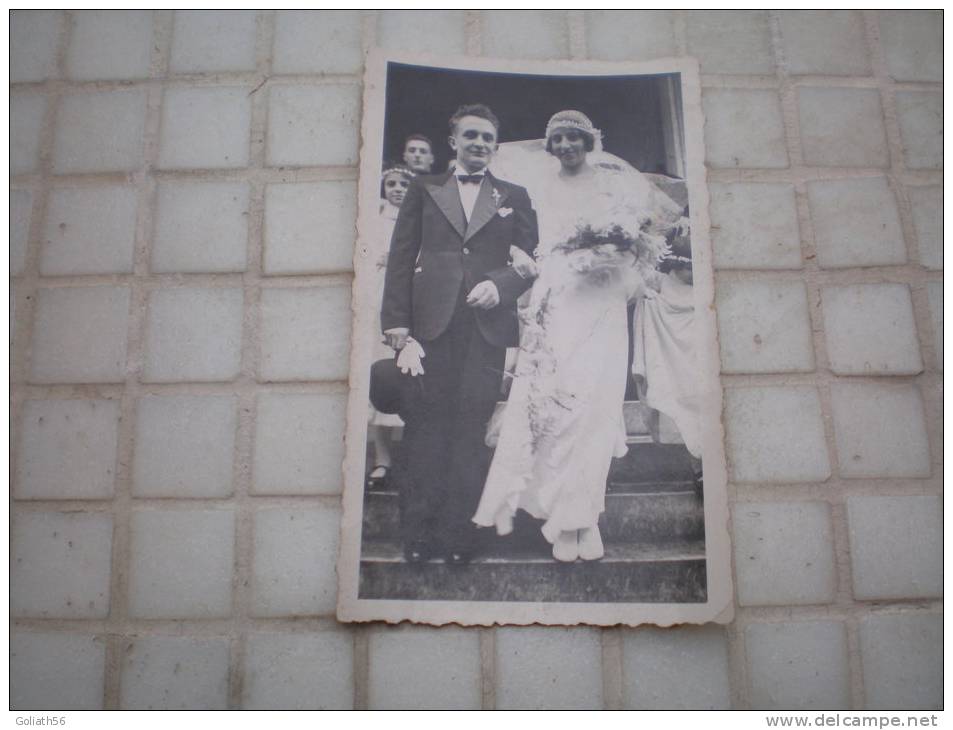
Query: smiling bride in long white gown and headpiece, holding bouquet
column 599, row 226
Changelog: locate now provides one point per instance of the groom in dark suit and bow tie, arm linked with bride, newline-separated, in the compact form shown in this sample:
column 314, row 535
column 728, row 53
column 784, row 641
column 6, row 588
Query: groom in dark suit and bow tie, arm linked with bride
column 448, row 286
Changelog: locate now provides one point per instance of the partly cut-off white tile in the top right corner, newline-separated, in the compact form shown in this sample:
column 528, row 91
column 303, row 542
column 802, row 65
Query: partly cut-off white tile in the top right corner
column 913, row 43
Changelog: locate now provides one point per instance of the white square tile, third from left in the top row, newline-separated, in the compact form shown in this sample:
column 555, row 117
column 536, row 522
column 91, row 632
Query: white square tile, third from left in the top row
column 213, row 41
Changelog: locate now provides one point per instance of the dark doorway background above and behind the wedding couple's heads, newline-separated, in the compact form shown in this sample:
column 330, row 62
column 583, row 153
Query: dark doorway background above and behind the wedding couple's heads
column 422, row 99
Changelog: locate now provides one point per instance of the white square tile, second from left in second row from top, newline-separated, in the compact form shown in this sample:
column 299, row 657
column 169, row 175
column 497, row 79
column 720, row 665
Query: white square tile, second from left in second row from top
column 100, row 131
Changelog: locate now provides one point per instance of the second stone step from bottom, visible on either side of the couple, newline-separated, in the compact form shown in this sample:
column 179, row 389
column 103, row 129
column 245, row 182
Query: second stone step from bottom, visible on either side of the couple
column 629, row 517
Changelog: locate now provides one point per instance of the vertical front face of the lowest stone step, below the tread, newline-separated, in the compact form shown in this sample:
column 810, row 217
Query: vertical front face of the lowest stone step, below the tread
column 672, row 581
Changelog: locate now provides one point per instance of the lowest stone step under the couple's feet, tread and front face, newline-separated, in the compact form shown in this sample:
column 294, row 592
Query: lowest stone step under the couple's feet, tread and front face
column 632, row 573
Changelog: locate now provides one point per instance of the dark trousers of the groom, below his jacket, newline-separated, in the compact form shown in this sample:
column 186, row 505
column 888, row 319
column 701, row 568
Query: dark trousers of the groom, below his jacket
column 443, row 459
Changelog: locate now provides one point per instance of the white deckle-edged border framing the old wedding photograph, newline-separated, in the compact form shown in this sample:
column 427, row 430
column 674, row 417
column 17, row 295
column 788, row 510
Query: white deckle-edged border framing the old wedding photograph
column 351, row 608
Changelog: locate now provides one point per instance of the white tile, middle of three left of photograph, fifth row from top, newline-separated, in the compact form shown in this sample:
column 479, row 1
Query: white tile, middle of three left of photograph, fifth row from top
column 185, row 446
